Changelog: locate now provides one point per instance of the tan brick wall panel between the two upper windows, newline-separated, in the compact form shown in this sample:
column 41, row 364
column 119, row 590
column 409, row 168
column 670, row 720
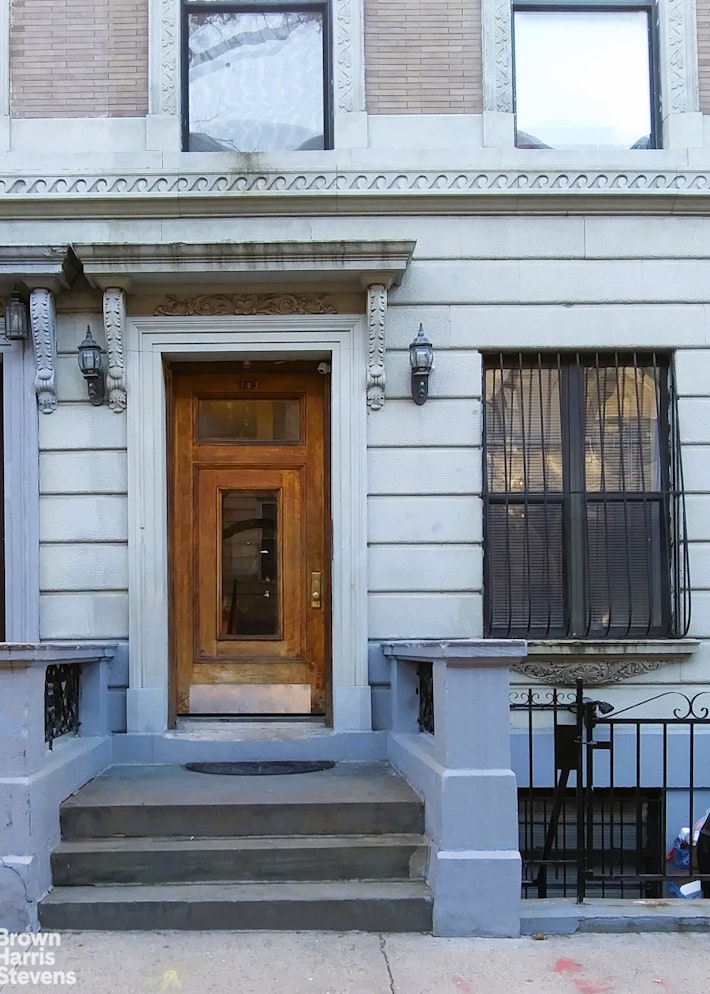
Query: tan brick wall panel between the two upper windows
column 423, row 56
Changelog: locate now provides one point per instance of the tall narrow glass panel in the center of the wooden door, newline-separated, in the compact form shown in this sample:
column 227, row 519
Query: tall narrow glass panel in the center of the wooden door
column 250, row 598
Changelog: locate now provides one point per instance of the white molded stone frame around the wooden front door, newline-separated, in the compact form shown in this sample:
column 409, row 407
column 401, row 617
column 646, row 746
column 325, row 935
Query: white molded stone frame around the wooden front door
column 341, row 340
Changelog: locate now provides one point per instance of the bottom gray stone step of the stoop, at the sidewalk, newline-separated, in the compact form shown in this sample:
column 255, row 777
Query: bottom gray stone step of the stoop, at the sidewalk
column 367, row 906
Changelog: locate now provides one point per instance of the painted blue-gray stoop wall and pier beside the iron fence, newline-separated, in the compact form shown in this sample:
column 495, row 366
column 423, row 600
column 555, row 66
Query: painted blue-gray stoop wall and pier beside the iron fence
column 463, row 772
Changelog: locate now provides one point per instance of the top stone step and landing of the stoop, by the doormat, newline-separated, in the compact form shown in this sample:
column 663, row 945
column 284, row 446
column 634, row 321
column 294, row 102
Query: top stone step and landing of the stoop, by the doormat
column 152, row 802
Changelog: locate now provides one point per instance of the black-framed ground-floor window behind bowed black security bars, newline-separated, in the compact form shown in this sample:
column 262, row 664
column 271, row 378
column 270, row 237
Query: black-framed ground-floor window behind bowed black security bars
column 584, row 512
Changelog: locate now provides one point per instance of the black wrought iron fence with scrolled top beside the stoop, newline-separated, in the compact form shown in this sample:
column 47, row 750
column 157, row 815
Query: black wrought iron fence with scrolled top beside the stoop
column 605, row 795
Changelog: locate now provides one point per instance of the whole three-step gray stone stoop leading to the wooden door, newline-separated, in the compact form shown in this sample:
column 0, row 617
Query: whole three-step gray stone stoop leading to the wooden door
column 163, row 848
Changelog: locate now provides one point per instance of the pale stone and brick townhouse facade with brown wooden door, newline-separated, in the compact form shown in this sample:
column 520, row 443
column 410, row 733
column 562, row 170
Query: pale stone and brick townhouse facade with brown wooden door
column 267, row 474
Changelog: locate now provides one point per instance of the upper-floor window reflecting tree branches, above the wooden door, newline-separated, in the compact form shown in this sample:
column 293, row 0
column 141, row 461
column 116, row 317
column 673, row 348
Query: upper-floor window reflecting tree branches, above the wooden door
column 256, row 75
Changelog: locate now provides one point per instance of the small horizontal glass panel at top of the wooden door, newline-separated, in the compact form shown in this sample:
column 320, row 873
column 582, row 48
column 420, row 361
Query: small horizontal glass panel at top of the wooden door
column 260, row 420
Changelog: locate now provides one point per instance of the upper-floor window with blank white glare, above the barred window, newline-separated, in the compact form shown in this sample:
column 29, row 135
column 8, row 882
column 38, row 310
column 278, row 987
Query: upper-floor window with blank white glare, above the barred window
column 584, row 74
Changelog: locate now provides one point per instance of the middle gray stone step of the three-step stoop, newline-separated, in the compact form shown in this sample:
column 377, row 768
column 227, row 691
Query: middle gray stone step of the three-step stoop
column 148, row 861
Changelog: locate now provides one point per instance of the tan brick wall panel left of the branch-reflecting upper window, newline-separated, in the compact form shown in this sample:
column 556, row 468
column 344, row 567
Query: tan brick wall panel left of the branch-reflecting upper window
column 79, row 58
